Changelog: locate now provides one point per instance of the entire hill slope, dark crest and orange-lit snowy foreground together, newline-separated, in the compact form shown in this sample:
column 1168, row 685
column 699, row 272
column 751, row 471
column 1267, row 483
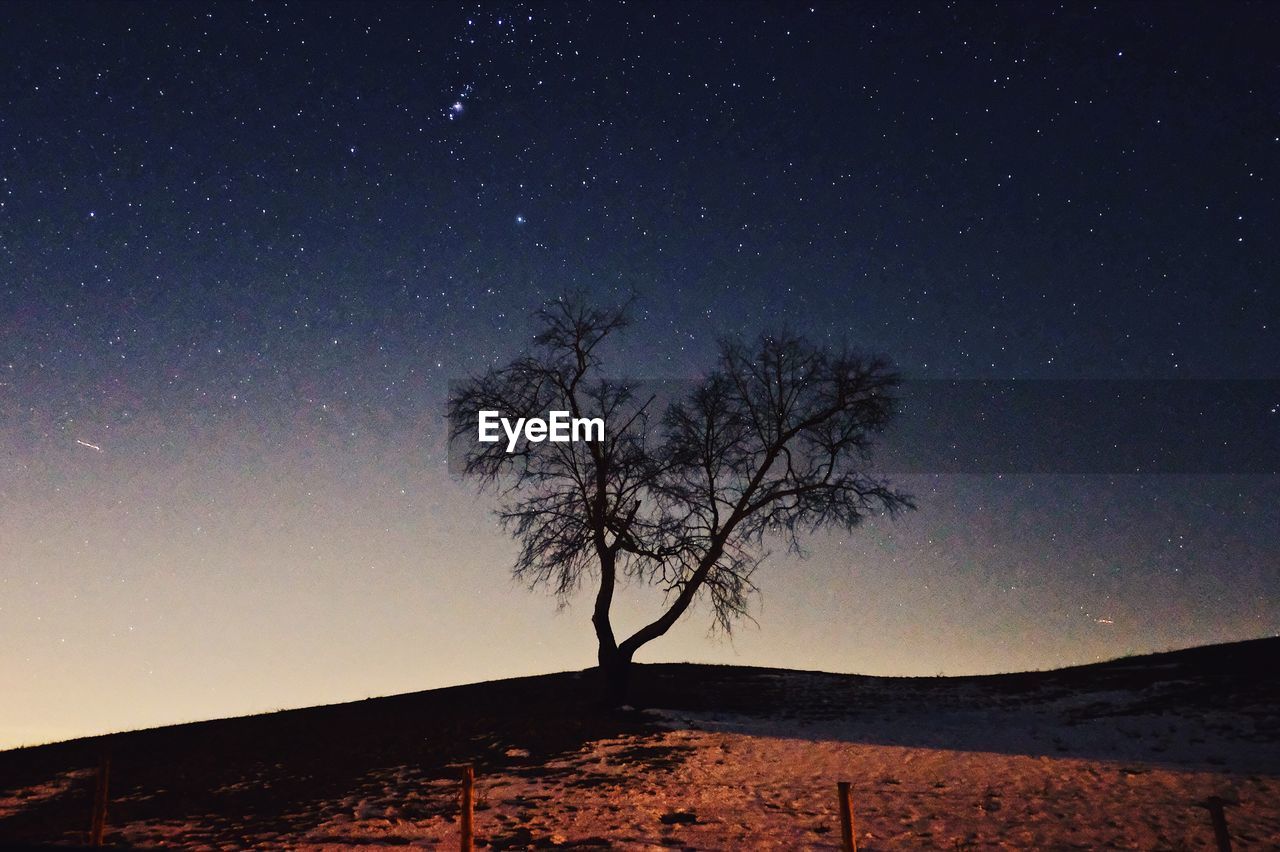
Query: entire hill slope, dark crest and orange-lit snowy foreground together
column 1119, row 754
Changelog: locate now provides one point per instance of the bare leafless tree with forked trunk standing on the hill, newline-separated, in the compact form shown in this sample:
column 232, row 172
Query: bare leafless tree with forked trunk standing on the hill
column 772, row 443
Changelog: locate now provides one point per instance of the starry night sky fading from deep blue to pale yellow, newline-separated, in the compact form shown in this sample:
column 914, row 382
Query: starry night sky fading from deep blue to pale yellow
column 245, row 249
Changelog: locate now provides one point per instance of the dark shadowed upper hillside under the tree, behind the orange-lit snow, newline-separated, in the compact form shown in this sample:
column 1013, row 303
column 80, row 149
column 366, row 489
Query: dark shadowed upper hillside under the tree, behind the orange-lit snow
column 276, row 775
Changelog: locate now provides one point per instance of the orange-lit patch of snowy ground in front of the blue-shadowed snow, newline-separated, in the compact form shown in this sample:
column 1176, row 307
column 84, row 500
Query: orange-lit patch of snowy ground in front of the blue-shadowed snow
column 737, row 791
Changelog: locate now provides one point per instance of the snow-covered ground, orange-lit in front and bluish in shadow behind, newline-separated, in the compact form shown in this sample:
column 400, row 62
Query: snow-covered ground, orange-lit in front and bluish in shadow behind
column 734, row 782
